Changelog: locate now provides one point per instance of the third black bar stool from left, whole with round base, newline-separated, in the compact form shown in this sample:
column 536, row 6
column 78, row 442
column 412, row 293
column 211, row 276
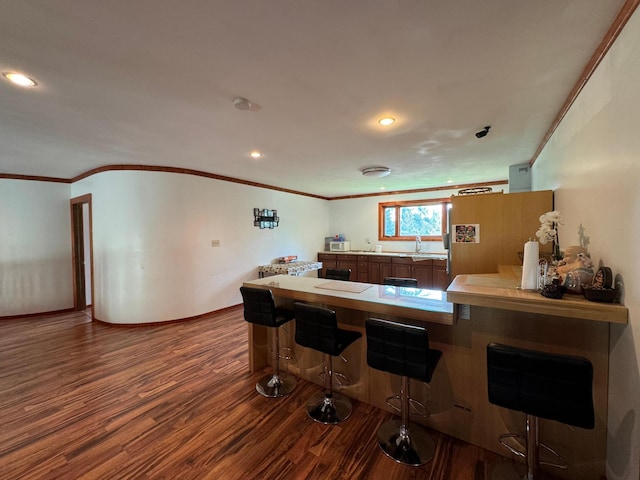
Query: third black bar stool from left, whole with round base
column 402, row 350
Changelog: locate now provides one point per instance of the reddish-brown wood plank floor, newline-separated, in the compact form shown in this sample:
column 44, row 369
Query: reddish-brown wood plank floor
column 83, row 400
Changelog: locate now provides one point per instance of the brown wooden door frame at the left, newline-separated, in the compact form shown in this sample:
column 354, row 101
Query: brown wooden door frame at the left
column 78, row 254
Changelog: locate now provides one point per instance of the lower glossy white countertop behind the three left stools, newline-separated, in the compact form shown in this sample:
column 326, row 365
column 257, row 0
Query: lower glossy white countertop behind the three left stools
column 413, row 303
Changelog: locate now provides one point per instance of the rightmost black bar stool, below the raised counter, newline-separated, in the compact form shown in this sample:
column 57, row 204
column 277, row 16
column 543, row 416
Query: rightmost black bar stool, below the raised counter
column 541, row 385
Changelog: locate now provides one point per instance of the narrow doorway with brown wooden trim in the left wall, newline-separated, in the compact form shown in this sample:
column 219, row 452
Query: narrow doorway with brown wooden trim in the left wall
column 82, row 252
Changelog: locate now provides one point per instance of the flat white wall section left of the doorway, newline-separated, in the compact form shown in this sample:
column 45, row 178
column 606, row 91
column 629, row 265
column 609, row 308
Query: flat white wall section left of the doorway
column 35, row 247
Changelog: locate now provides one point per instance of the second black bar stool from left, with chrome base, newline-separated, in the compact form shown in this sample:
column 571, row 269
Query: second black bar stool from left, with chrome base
column 317, row 328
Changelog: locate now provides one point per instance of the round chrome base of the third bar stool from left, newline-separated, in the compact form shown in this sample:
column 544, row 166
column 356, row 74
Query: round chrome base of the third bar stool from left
column 409, row 446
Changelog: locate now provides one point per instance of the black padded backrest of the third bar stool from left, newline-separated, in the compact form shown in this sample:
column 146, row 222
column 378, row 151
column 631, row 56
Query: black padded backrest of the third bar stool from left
column 400, row 349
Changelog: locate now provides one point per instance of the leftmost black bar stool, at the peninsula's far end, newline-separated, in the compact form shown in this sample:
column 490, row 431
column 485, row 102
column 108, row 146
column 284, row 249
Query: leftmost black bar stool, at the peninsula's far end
column 260, row 309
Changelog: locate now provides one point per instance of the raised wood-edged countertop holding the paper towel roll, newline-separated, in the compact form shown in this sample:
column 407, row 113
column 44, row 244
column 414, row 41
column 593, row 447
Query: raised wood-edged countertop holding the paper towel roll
column 500, row 290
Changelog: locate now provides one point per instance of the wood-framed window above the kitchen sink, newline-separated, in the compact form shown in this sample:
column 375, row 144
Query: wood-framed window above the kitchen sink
column 406, row 220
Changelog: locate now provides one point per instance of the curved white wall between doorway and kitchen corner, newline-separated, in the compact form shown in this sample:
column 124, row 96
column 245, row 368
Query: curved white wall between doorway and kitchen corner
column 152, row 233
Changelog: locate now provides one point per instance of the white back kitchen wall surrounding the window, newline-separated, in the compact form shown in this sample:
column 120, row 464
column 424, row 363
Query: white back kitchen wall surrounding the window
column 358, row 219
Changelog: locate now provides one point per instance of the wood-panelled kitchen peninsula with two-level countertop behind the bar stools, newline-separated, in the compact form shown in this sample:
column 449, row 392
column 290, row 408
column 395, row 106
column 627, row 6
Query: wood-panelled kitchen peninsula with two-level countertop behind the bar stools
column 457, row 396
